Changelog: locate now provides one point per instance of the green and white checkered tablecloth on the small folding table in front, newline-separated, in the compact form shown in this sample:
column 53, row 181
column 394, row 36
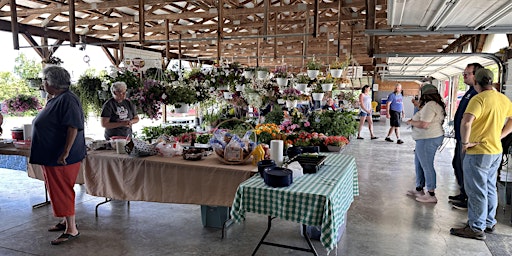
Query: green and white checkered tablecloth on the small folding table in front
column 319, row 199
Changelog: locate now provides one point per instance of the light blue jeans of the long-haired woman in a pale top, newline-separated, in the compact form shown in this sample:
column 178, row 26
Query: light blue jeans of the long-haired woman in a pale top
column 424, row 154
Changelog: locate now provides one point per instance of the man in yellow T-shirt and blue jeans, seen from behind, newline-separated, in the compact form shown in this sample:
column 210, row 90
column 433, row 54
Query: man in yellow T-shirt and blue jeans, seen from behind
column 481, row 132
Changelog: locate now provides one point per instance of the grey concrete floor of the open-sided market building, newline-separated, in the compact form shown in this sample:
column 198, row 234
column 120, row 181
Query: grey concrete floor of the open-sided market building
column 381, row 221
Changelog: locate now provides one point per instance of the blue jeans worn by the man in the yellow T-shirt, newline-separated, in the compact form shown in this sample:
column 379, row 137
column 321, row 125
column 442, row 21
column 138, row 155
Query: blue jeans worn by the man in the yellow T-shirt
column 480, row 173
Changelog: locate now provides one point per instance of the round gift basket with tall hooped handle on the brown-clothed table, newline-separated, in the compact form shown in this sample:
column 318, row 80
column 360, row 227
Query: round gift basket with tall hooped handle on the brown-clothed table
column 231, row 148
